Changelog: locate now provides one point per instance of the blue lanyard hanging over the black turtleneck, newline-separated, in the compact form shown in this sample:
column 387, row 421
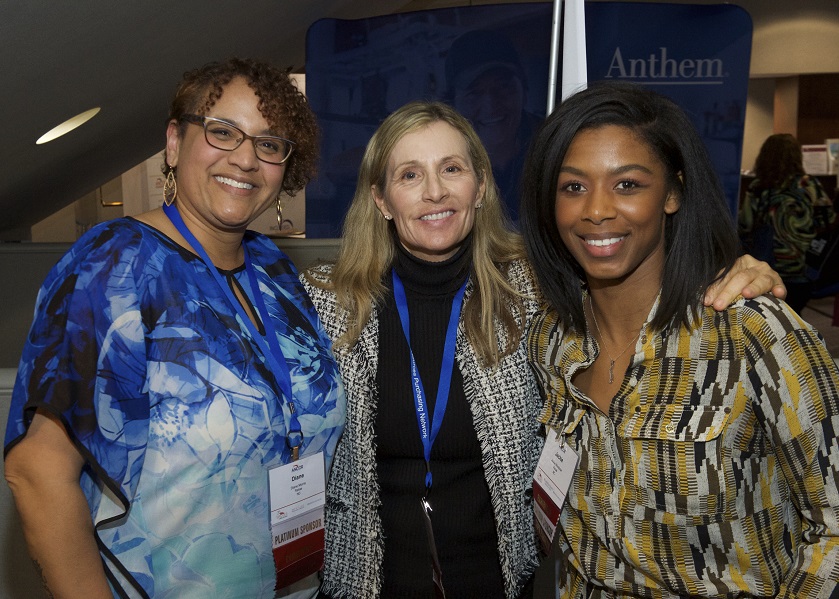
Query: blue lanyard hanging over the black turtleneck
column 429, row 434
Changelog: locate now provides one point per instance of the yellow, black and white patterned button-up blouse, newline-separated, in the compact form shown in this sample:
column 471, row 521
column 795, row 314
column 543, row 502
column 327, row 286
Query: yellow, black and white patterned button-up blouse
column 716, row 471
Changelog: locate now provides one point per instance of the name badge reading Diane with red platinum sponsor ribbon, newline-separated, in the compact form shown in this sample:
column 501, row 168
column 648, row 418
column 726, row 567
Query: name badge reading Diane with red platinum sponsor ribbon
column 298, row 493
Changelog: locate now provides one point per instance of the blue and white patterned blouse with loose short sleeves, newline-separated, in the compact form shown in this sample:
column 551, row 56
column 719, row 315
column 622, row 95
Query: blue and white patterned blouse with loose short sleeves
column 170, row 402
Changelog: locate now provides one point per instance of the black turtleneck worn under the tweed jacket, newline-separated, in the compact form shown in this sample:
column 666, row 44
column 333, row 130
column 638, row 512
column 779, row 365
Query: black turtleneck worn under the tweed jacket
column 464, row 523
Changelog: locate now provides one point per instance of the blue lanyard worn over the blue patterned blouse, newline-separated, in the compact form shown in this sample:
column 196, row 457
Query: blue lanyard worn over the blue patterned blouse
column 270, row 348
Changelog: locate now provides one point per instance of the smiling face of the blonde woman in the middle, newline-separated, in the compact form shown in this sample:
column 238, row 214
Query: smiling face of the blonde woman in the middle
column 431, row 191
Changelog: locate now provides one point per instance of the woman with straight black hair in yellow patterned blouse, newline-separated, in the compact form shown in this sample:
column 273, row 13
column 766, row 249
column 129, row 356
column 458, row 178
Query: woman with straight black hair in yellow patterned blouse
column 706, row 440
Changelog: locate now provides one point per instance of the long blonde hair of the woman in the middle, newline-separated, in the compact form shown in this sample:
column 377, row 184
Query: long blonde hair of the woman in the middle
column 367, row 246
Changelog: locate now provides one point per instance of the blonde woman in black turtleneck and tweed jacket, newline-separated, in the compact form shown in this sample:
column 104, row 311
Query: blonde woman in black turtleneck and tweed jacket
column 426, row 208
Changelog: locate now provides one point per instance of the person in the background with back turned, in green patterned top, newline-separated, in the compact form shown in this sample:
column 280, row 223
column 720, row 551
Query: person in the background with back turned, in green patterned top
column 783, row 209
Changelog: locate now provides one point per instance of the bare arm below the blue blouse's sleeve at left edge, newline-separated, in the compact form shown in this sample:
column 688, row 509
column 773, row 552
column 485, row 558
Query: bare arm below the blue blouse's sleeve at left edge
column 43, row 473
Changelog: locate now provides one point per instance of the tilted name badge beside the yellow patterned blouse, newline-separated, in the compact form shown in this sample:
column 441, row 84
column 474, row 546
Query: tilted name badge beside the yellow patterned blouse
column 551, row 482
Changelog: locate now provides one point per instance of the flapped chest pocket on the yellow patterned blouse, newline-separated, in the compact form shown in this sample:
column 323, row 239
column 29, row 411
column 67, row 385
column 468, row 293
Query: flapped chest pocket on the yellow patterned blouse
column 678, row 468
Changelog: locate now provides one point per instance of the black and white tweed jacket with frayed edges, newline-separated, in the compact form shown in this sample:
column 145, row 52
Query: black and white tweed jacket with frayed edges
column 504, row 402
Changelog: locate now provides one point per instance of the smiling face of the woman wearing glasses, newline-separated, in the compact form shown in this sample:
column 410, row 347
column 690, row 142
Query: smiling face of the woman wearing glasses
column 220, row 190
